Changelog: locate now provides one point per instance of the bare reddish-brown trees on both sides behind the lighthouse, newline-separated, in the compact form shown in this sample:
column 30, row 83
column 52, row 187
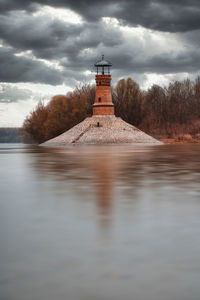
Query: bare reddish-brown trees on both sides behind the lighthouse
column 162, row 112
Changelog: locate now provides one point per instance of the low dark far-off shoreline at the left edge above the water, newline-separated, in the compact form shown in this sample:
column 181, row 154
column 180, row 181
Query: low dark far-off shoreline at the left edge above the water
column 11, row 135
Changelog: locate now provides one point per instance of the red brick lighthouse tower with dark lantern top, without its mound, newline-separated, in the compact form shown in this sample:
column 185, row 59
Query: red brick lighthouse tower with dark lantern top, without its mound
column 103, row 101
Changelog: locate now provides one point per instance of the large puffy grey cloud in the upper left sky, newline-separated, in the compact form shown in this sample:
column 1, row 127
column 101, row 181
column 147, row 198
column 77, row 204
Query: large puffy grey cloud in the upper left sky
column 52, row 39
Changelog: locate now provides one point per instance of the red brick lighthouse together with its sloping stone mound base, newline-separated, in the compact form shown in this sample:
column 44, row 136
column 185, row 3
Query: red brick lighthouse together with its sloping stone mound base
column 103, row 127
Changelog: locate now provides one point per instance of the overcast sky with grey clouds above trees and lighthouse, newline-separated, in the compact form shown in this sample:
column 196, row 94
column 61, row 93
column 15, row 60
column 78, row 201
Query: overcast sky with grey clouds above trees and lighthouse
column 48, row 47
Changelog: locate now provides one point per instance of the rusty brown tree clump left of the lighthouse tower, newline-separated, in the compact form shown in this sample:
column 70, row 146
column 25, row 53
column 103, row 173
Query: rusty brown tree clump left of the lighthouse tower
column 59, row 115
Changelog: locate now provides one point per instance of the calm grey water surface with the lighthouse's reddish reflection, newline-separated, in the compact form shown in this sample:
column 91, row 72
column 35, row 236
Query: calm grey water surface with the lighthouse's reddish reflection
column 100, row 222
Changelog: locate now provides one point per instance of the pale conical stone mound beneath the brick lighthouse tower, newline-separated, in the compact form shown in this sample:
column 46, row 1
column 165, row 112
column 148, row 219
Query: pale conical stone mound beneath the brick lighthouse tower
column 102, row 130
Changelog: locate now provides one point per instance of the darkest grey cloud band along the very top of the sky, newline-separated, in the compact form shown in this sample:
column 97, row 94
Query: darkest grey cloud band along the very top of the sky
column 163, row 15
